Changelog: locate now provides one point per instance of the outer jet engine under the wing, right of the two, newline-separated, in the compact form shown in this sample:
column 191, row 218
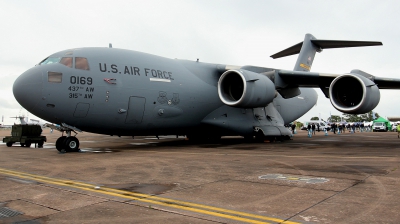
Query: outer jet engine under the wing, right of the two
column 354, row 94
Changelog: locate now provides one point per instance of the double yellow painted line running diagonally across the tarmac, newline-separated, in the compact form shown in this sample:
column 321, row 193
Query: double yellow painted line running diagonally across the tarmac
column 182, row 205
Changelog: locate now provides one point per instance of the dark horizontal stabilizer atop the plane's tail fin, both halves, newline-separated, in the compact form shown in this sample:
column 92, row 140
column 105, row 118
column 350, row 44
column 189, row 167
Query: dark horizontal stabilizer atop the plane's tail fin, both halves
column 325, row 44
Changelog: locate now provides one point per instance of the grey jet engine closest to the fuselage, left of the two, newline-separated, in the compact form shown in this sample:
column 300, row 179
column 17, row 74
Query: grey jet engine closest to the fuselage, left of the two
column 245, row 89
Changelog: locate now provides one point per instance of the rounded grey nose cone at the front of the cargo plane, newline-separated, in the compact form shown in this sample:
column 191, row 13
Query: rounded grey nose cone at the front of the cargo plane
column 27, row 88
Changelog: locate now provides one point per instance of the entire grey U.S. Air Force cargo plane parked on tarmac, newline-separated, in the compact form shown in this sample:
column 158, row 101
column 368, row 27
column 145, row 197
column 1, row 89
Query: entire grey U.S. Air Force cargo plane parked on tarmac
column 128, row 93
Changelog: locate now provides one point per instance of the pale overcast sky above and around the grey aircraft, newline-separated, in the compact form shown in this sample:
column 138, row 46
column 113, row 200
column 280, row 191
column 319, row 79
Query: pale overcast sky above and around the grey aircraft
column 225, row 32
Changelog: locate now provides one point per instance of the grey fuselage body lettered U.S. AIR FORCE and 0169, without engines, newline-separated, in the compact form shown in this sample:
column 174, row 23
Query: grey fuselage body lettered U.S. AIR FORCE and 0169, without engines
column 123, row 92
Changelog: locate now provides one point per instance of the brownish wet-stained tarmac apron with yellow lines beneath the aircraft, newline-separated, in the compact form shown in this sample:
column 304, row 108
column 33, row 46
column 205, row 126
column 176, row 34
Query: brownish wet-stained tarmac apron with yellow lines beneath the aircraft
column 334, row 178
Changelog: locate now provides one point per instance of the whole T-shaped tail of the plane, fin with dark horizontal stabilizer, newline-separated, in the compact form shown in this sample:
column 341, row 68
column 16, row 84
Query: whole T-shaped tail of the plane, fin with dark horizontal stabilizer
column 311, row 45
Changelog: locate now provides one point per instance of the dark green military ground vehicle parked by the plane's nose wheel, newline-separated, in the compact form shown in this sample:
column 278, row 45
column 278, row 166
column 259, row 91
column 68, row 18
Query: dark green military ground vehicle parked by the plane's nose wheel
column 25, row 134
